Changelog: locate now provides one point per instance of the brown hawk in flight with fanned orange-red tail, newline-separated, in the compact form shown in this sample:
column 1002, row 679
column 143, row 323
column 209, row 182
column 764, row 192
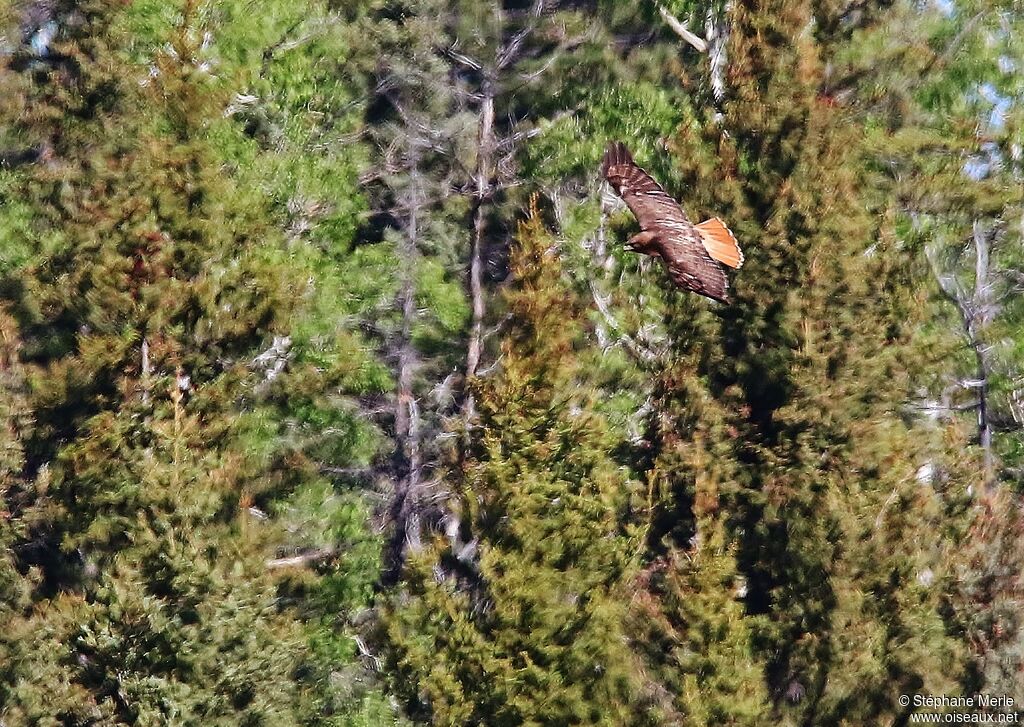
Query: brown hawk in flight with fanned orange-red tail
column 692, row 252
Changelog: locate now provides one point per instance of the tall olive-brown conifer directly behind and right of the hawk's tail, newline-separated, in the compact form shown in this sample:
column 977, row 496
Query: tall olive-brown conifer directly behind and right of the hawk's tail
column 790, row 398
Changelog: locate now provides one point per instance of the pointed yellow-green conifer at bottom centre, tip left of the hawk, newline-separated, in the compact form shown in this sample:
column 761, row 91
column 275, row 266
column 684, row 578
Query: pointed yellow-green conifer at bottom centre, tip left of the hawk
column 521, row 622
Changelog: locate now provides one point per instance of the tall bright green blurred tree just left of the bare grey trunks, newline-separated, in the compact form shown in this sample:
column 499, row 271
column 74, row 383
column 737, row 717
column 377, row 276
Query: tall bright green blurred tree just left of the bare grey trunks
column 292, row 136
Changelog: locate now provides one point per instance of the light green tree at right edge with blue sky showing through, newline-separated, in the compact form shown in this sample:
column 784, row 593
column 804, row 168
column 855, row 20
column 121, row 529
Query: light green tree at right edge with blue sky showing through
column 962, row 117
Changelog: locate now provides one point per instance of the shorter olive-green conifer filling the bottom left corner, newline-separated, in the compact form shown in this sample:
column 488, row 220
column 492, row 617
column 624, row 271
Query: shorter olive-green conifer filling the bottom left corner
column 179, row 626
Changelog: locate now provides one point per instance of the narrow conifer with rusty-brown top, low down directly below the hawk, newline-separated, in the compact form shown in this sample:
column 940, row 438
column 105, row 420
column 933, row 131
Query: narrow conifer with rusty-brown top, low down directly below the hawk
column 693, row 627
